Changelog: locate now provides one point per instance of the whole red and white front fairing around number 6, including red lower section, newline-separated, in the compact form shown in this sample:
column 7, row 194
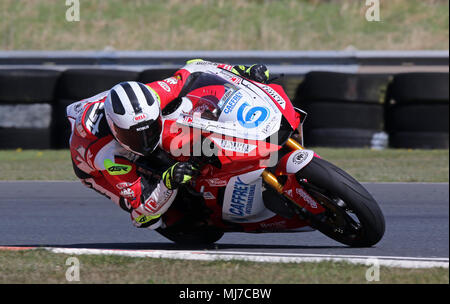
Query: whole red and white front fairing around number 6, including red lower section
column 234, row 116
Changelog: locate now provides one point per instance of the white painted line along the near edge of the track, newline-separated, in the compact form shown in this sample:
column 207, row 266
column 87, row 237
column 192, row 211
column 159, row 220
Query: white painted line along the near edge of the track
column 211, row 255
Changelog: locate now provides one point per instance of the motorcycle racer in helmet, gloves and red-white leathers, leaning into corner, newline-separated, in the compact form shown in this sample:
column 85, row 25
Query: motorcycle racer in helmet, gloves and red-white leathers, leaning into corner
column 115, row 129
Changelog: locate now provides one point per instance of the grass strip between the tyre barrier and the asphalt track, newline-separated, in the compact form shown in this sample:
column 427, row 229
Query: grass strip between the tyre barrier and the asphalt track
column 366, row 165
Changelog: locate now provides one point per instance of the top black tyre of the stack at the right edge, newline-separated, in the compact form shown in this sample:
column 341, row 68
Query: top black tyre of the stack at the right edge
column 418, row 87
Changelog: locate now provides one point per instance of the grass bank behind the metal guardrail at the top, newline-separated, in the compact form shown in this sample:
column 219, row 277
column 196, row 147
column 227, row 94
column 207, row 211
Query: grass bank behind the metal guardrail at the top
column 224, row 25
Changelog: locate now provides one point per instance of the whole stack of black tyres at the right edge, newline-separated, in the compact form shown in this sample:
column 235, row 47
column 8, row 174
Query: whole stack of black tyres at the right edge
column 417, row 111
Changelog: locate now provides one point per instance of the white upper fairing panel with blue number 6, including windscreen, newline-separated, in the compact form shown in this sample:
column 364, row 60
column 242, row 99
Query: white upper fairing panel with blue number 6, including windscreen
column 233, row 107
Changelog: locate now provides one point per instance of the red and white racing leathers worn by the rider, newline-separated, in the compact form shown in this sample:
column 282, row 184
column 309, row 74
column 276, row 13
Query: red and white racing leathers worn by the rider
column 103, row 164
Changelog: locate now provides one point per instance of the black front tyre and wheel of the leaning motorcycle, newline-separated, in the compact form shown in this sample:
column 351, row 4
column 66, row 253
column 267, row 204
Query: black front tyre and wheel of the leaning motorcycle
column 352, row 215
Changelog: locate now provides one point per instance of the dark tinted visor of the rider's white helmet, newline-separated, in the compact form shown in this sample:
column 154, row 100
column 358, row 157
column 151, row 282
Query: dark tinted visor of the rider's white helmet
column 141, row 138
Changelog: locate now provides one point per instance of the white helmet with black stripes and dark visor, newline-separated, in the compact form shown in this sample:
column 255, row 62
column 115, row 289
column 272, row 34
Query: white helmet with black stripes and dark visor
column 134, row 116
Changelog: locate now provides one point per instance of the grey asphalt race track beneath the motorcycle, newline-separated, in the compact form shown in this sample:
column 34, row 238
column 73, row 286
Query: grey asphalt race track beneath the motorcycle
column 66, row 214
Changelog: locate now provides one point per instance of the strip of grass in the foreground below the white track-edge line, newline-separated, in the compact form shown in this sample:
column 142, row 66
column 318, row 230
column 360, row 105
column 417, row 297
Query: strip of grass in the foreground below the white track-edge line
column 21, row 267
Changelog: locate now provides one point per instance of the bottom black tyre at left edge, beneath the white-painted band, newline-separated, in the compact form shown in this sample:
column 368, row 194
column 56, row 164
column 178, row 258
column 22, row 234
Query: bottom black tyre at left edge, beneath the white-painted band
column 25, row 138
